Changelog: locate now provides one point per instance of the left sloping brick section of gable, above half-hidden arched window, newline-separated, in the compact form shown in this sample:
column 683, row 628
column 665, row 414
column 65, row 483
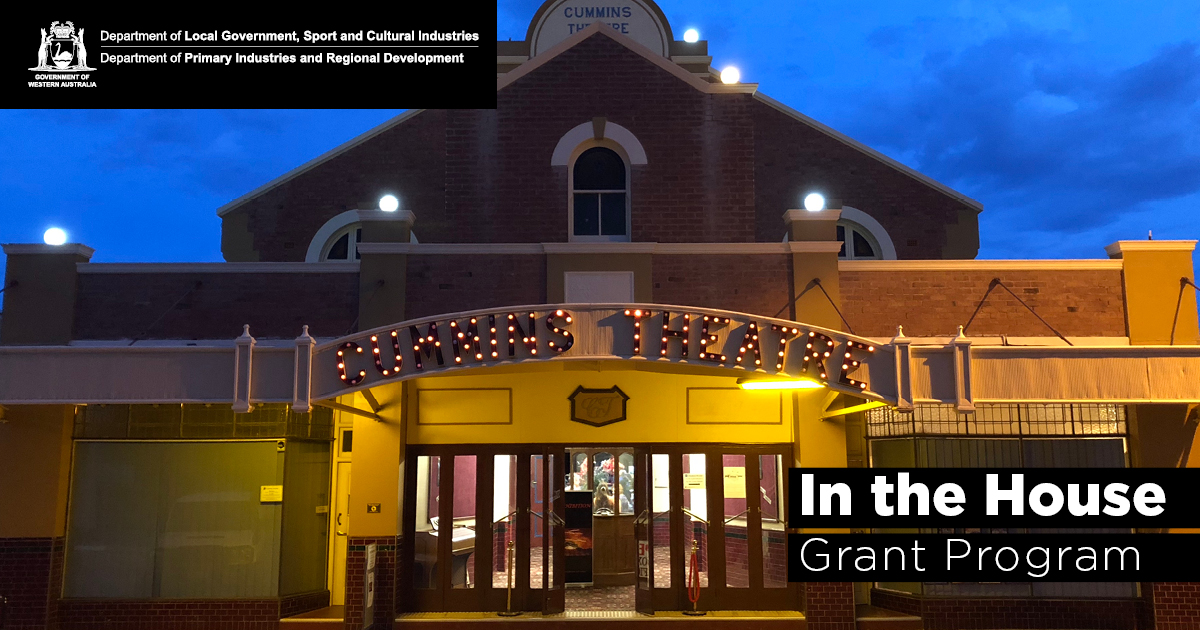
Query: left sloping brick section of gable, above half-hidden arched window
column 406, row 160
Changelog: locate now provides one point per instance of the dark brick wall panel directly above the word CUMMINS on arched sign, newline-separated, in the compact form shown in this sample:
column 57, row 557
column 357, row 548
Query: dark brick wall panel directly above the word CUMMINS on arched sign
column 452, row 284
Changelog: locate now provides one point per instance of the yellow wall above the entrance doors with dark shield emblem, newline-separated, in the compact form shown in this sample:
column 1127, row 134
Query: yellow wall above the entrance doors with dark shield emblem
column 657, row 410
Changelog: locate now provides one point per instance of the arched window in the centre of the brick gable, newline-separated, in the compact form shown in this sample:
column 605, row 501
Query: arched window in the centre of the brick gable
column 599, row 196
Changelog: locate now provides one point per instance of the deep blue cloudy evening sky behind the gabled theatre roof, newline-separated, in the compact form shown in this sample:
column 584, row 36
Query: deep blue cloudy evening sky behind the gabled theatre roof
column 1076, row 124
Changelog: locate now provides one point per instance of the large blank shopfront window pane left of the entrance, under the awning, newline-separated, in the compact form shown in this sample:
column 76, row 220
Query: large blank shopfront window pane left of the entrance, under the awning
column 196, row 527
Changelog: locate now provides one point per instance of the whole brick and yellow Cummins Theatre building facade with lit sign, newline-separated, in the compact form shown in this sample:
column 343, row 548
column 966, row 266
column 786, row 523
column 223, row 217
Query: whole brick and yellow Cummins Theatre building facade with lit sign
column 556, row 359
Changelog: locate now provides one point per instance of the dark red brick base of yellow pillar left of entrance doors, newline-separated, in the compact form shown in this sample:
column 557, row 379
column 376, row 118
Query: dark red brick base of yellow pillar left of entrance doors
column 386, row 599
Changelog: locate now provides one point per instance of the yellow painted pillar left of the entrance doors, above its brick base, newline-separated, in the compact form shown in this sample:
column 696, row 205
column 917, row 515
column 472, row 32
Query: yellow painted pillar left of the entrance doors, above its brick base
column 379, row 455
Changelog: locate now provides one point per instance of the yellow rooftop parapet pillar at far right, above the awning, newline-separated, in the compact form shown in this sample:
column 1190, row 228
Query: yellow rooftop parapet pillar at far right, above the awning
column 1153, row 291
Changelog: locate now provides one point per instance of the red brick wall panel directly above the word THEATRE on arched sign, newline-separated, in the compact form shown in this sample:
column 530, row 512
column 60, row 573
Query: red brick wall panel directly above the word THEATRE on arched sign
column 759, row 285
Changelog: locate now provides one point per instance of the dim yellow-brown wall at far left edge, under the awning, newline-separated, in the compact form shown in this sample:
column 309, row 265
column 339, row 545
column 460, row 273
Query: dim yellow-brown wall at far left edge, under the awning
column 35, row 469
